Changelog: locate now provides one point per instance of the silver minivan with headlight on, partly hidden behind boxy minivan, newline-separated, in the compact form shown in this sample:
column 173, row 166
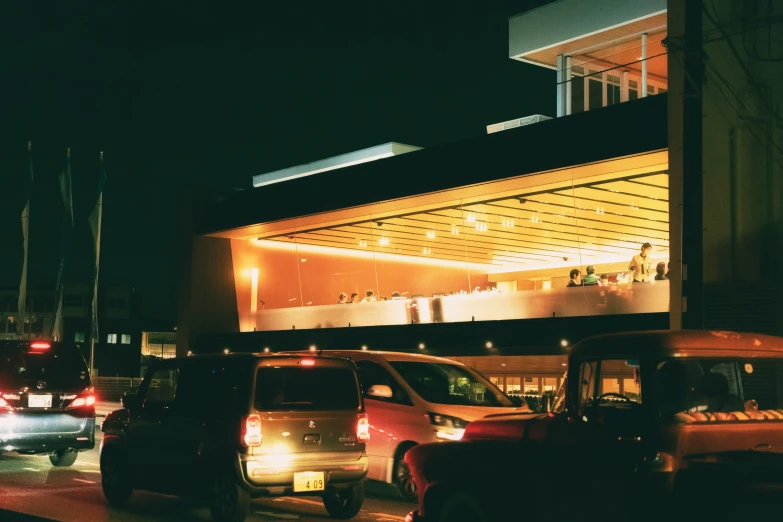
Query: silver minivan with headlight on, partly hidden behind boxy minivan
column 413, row 399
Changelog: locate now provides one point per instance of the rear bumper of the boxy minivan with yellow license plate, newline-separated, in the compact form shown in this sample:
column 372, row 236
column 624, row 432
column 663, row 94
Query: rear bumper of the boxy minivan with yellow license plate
column 339, row 471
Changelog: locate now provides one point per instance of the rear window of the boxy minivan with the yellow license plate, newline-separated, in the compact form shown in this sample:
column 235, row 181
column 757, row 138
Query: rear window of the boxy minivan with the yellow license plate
column 293, row 388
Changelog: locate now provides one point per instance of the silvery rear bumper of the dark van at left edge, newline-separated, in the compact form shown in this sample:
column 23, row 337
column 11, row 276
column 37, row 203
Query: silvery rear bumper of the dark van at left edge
column 44, row 433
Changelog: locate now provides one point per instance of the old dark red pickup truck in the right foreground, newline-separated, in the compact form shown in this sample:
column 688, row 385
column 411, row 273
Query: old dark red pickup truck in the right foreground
column 647, row 426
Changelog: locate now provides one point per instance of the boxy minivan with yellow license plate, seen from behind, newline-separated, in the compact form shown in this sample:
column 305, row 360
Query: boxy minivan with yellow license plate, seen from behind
column 227, row 428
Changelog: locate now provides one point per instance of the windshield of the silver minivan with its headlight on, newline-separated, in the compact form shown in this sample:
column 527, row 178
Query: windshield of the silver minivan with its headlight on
column 441, row 383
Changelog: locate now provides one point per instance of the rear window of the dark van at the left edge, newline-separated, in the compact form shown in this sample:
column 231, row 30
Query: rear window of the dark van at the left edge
column 58, row 365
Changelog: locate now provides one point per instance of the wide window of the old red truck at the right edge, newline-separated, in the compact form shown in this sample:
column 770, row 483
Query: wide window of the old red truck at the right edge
column 720, row 389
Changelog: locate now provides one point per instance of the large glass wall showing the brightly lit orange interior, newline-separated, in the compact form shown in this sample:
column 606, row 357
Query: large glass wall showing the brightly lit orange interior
column 591, row 240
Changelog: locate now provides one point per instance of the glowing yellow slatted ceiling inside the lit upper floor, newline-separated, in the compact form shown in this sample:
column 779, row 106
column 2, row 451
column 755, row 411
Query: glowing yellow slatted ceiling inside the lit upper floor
column 592, row 221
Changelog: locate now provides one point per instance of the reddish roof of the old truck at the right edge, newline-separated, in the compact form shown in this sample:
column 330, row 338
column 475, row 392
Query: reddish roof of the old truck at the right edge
column 682, row 343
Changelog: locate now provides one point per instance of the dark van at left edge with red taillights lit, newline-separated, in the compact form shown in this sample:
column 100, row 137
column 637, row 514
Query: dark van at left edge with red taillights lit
column 47, row 404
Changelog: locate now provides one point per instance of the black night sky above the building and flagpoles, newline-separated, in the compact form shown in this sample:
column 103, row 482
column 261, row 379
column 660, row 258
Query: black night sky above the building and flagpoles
column 182, row 92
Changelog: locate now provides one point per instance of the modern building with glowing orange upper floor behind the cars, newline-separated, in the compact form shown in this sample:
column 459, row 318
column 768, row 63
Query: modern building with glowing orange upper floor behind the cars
column 469, row 248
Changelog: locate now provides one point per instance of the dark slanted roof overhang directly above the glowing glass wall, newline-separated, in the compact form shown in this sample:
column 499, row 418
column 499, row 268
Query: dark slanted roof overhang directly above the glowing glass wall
column 373, row 188
